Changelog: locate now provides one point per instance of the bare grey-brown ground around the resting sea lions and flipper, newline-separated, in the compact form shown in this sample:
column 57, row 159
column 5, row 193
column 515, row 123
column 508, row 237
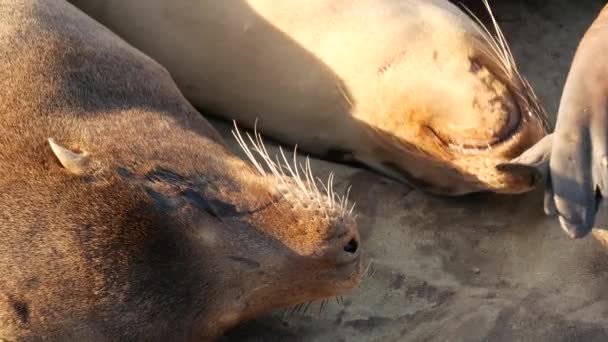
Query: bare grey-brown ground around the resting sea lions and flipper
column 478, row 268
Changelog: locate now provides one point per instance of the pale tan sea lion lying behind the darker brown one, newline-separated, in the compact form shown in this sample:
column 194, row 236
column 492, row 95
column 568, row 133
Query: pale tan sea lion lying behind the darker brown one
column 412, row 88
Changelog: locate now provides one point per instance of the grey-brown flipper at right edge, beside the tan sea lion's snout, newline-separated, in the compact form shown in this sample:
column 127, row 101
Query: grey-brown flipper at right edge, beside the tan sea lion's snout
column 574, row 160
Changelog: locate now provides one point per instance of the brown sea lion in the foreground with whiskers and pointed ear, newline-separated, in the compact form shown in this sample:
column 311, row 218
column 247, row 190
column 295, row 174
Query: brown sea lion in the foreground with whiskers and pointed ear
column 124, row 216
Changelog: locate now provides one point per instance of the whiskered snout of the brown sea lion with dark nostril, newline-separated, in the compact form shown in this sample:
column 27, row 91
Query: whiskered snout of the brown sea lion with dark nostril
column 298, row 240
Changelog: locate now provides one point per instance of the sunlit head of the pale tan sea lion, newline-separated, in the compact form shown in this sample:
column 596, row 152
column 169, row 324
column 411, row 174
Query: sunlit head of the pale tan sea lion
column 451, row 107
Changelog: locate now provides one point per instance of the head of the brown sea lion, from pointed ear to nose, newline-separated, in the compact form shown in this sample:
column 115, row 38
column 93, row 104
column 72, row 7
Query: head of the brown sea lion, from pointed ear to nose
column 235, row 241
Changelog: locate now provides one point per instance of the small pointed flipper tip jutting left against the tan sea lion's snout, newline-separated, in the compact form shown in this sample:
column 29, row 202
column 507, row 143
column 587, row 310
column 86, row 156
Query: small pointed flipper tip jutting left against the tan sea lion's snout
column 533, row 161
